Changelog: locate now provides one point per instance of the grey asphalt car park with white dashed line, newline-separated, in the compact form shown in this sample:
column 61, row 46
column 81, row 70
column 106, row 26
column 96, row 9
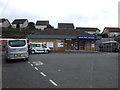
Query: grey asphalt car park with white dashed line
column 63, row 70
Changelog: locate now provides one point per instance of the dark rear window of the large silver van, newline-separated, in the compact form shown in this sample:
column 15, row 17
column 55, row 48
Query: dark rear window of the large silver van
column 16, row 43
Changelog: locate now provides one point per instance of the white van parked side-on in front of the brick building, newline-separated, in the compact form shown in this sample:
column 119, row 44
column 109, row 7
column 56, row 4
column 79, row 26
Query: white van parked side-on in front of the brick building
column 38, row 47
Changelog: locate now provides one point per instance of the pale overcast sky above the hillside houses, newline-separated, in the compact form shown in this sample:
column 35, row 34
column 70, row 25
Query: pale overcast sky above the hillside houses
column 83, row 13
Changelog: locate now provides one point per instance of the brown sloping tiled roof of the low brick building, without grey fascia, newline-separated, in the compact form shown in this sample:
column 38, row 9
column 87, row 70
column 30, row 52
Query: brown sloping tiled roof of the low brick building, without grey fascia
column 68, row 32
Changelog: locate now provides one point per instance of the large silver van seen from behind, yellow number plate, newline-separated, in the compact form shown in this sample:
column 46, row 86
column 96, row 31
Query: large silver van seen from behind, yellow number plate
column 17, row 49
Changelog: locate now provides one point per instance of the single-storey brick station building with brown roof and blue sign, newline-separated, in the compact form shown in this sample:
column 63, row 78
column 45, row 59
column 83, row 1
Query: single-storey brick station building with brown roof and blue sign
column 62, row 39
